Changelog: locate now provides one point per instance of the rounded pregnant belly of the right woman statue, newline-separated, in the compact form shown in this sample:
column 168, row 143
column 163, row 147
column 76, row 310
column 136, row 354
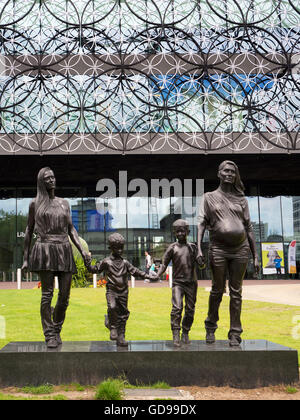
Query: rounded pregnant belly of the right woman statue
column 229, row 232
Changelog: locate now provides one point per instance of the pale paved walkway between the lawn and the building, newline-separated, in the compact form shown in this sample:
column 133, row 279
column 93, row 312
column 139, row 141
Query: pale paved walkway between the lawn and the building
column 286, row 292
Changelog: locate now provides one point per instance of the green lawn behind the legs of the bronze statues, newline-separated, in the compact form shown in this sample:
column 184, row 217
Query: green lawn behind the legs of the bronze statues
column 149, row 319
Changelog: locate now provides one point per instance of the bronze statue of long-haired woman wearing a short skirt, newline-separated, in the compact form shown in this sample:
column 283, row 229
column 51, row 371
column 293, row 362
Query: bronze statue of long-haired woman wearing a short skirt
column 49, row 217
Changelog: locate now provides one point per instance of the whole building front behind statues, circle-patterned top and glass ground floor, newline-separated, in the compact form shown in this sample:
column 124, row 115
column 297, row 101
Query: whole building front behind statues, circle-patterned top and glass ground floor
column 148, row 90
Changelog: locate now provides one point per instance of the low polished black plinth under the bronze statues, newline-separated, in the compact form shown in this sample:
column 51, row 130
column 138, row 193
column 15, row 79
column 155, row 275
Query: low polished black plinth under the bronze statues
column 255, row 363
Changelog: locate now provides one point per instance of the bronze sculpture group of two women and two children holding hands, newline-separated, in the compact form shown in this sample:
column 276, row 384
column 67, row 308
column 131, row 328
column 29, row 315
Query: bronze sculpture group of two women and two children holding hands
column 224, row 212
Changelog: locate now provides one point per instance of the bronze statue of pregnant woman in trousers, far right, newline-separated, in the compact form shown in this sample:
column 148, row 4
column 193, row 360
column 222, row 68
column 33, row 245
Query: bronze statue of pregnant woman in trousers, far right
column 225, row 213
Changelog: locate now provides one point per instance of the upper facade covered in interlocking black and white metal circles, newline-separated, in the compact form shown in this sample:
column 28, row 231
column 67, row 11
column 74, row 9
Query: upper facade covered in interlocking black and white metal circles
column 141, row 76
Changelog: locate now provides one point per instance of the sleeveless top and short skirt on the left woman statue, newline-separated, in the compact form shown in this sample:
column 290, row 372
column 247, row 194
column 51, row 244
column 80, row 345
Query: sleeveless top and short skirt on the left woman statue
column 52, row 250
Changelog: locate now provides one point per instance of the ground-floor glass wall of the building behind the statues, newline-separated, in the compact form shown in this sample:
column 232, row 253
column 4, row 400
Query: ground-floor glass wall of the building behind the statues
column 146, row 224
